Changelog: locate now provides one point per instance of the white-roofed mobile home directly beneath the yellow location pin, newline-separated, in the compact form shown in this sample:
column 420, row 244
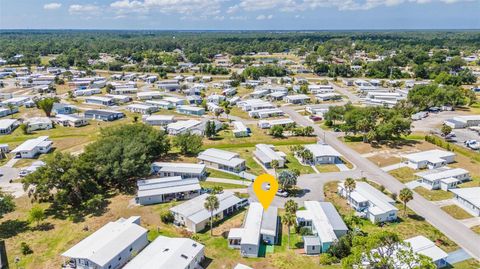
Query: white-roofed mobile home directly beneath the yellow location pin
column 259, row 227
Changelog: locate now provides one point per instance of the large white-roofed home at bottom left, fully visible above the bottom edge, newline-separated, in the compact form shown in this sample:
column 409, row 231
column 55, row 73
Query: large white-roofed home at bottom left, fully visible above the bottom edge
column 107, row 242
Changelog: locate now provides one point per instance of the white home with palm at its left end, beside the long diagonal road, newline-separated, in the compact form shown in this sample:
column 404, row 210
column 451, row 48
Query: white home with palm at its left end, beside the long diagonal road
column 372, row 203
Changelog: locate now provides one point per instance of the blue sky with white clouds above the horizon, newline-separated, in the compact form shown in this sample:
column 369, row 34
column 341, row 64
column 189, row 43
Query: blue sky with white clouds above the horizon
column 240, row 14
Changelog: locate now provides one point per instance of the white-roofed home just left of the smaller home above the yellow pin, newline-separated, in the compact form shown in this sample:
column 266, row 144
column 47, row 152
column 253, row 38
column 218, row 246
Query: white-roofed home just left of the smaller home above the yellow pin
column 222, row 160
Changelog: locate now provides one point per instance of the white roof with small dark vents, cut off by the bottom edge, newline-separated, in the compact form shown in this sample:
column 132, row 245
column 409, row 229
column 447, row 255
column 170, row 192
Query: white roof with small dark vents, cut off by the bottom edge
column 165, row 252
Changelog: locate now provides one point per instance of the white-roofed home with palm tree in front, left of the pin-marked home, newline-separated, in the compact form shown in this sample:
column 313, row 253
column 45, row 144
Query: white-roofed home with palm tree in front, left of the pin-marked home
column 194, row 217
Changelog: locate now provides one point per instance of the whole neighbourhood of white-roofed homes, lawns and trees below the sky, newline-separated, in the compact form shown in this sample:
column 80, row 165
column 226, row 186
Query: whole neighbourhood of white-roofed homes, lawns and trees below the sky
column 137, row 150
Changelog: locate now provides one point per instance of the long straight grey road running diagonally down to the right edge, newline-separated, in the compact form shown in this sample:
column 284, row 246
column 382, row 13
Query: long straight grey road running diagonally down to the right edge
column 449, row 226
